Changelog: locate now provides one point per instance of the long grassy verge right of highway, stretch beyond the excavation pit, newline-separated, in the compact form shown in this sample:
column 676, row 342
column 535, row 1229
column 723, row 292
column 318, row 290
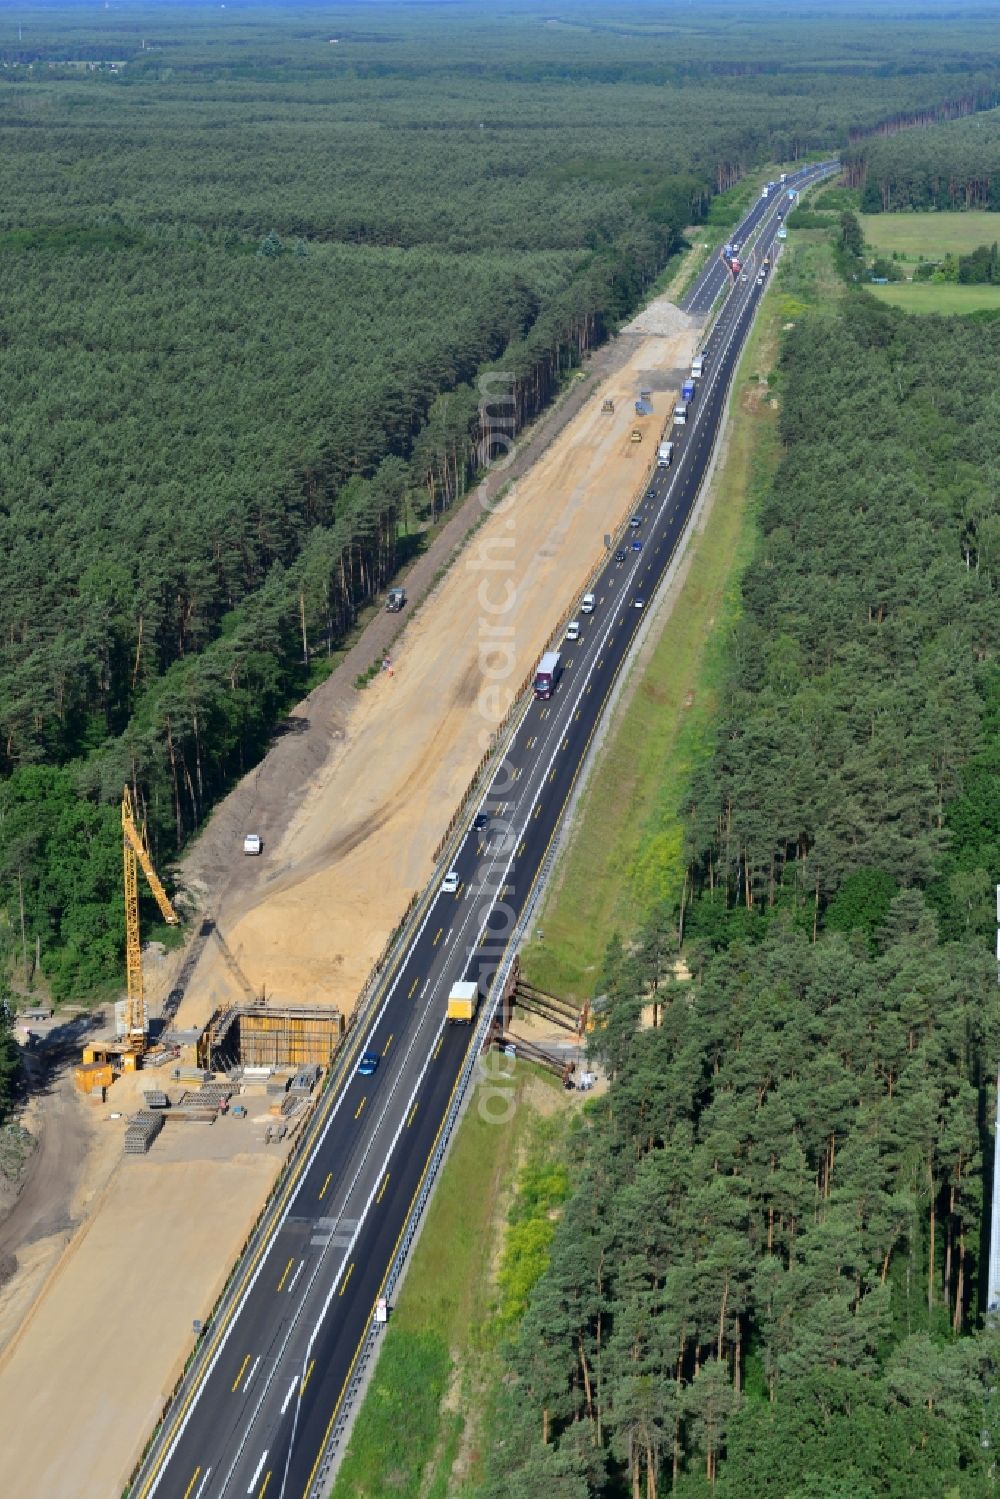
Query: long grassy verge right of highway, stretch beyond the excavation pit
column 627, row 846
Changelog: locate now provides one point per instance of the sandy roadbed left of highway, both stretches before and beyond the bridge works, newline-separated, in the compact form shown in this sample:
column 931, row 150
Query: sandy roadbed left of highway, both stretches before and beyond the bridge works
column 352, row 809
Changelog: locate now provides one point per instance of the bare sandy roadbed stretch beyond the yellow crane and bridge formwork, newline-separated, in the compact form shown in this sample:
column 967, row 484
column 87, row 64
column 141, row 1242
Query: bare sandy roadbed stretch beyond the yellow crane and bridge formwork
column 361, row 836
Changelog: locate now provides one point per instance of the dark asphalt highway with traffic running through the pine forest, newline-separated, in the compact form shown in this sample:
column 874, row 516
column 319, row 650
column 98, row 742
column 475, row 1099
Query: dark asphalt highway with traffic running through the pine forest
column 271, row 1375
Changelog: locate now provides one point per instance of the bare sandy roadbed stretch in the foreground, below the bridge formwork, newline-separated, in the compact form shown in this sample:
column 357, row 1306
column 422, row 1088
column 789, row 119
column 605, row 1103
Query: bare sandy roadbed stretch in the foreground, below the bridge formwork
column 86, row 1380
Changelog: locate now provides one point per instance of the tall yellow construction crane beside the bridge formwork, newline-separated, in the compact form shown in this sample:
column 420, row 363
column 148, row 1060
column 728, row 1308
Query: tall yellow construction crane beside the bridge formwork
column 127, row 1055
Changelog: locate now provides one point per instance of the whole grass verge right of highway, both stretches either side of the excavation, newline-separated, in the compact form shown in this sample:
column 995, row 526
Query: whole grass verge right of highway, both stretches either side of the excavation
column 421, row 1434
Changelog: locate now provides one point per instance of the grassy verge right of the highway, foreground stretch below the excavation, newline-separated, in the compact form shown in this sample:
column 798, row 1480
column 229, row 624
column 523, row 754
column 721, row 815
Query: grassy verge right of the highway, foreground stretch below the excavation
column 407, row 1435
